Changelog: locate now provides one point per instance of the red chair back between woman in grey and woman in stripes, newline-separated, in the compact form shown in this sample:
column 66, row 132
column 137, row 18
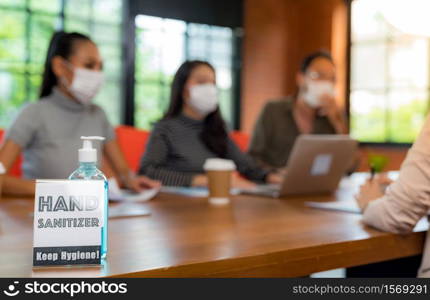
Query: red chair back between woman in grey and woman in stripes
column 132, row 143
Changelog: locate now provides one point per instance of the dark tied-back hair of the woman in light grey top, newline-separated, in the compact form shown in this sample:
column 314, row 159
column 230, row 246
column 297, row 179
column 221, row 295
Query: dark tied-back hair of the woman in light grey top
column 61, row 44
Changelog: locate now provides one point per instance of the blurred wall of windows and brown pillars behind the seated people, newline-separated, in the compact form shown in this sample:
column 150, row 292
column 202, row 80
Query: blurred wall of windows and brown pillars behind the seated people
column 381, row 49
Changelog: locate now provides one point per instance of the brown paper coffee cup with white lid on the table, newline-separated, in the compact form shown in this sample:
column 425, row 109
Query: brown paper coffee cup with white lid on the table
column 219, row 173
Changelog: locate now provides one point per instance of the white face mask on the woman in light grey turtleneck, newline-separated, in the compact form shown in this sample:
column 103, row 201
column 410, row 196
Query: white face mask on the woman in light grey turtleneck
column 85, row 85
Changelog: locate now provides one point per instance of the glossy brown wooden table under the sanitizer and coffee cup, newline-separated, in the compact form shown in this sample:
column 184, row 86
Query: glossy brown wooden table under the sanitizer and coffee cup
column 187, row 237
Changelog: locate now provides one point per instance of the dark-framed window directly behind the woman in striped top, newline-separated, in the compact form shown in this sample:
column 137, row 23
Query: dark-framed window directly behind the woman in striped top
column 162, row 45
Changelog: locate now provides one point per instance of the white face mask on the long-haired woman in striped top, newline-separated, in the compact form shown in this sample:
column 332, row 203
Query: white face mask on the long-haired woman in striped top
column 204, row 98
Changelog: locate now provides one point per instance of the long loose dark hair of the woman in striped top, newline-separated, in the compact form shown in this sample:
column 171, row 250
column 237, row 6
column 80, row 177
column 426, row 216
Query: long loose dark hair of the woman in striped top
column 214, row 134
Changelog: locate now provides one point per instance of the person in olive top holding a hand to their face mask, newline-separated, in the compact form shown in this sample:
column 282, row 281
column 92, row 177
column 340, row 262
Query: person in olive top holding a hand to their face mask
column 313, row 110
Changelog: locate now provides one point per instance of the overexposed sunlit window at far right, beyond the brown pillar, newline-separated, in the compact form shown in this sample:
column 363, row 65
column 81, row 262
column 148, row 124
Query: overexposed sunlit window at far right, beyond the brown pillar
column 390, row 64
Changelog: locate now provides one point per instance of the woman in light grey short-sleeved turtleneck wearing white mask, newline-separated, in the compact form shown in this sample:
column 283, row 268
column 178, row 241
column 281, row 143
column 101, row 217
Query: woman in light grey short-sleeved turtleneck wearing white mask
column 48, row 131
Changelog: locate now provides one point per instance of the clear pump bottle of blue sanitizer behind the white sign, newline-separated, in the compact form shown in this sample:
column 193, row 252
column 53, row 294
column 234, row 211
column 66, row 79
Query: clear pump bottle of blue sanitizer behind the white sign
column 88, row 171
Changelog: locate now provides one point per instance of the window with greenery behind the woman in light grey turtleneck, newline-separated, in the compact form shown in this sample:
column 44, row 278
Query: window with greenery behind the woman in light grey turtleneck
column 26, row 27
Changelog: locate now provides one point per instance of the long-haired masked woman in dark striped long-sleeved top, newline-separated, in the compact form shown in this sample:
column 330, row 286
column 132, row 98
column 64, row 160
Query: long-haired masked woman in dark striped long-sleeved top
column 192, row 131
